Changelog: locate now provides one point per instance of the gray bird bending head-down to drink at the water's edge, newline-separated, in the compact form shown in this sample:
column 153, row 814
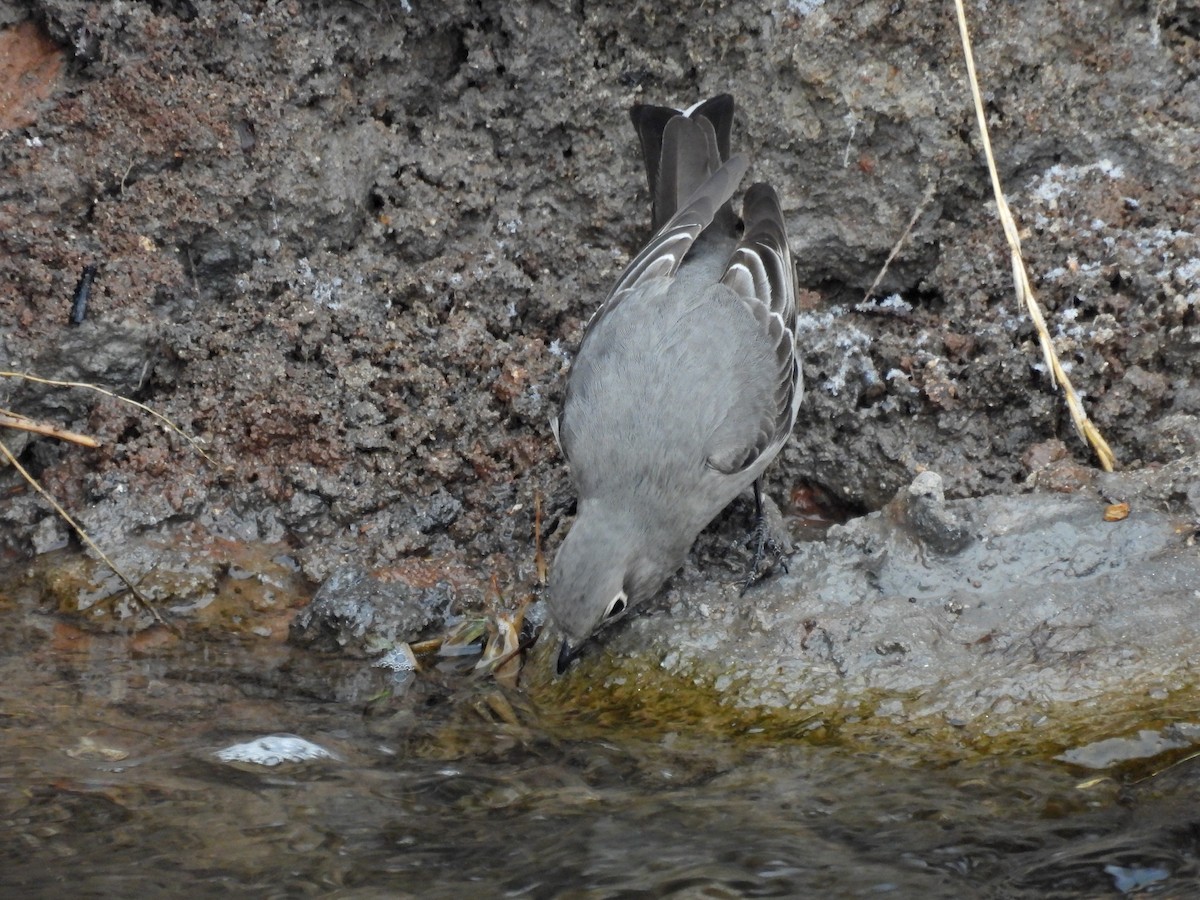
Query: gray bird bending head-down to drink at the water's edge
column 687, row 381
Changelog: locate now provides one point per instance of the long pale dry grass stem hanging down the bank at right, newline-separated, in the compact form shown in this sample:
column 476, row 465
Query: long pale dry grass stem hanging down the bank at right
column 1084, row 427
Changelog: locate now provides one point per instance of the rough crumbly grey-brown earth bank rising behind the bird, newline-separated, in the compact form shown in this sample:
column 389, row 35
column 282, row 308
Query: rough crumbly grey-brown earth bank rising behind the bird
column 350, row 247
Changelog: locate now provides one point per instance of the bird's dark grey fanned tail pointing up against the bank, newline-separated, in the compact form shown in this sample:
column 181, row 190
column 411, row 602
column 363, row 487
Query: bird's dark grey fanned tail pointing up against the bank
column 682, row 149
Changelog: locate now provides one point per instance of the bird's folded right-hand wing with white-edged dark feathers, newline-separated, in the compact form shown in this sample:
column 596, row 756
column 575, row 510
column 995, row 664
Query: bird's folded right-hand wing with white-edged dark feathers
column 760, row 273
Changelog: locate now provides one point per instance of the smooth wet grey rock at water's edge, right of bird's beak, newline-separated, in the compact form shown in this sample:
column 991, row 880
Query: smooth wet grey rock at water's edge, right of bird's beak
column 1047, row 605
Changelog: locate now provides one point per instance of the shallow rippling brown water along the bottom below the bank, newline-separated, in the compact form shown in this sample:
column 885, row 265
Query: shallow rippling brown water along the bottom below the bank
column 110, row 787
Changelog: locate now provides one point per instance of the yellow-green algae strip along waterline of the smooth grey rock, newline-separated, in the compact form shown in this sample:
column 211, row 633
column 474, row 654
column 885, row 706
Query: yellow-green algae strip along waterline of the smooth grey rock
column 637, row 699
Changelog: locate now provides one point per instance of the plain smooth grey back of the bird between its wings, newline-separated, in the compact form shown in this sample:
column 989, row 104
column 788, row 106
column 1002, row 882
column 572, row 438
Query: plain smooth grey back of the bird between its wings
column 668, row 399
